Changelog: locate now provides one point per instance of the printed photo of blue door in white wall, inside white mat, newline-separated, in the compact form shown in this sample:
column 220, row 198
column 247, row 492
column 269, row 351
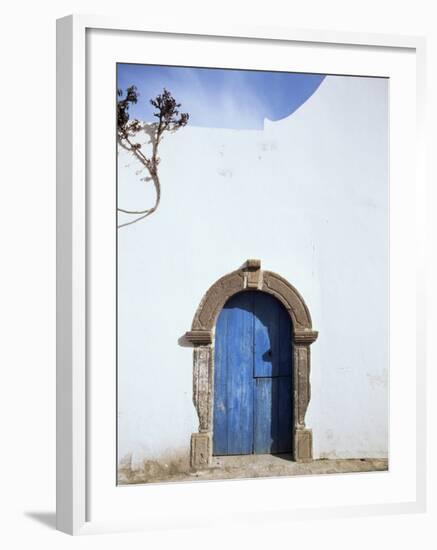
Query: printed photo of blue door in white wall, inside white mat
column 252, row 273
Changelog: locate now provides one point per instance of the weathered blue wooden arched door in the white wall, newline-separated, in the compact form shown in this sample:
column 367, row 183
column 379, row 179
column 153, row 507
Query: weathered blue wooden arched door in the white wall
column 252, row 376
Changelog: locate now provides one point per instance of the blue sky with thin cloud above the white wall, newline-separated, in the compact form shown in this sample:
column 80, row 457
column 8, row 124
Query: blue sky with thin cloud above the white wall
column 220, row 98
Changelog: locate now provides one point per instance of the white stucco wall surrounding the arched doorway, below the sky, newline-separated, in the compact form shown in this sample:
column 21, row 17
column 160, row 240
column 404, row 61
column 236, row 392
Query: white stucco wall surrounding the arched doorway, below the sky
column 308, row 195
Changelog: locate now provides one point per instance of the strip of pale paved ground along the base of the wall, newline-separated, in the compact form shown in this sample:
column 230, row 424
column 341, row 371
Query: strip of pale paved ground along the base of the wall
column 250, row 466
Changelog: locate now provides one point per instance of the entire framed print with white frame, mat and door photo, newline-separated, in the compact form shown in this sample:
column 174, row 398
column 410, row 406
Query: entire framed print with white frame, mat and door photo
column 238, row 327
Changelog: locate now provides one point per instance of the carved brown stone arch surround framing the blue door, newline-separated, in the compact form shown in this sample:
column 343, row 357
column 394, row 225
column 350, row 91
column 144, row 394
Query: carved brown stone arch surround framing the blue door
column 249, row 277
